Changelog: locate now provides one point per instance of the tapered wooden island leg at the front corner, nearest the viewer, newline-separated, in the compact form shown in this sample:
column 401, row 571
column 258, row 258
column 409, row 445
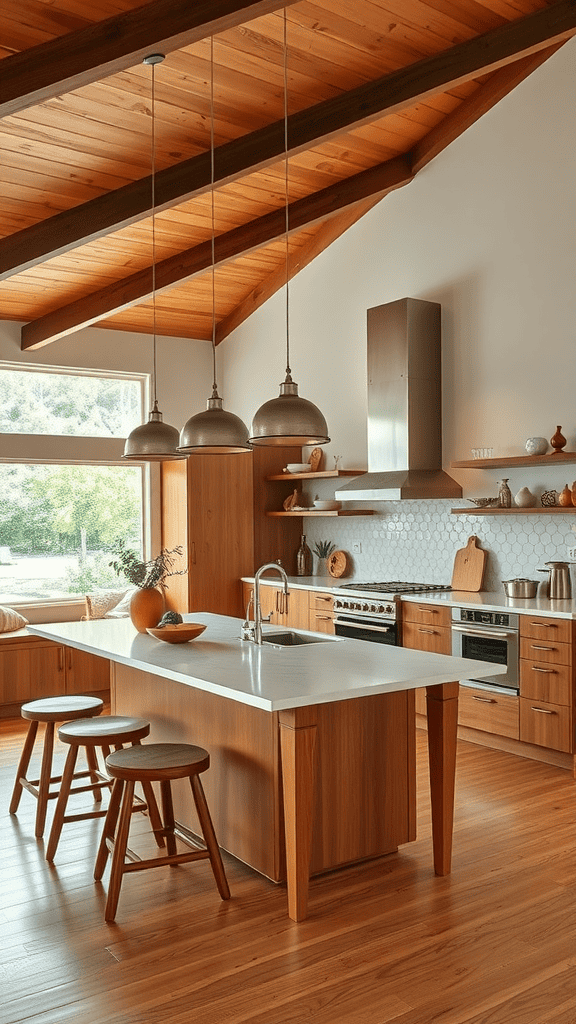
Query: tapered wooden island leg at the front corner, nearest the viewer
column 298, row 744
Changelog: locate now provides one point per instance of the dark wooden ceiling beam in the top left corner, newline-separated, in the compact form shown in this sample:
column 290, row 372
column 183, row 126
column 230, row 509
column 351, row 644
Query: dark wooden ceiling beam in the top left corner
column 80, row 58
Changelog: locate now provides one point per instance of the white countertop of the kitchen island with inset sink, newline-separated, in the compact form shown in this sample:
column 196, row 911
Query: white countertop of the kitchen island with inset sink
column 267, row 677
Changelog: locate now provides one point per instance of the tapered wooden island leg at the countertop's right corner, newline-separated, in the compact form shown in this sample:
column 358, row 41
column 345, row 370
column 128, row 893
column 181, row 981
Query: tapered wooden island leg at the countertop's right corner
column 442, row 703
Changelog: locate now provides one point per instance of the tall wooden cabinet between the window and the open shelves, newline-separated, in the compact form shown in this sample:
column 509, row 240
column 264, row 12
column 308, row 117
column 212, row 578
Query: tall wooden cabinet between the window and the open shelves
column 215, row 507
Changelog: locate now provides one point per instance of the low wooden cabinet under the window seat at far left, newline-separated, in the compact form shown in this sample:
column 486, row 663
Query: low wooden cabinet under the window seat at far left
column 32, row 668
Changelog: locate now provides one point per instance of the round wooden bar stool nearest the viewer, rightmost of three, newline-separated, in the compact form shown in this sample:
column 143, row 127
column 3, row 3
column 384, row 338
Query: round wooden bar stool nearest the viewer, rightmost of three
column 155, row 763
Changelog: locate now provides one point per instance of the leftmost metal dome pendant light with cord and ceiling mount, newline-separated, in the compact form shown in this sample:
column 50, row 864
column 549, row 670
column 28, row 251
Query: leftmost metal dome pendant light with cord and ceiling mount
column 155, row 441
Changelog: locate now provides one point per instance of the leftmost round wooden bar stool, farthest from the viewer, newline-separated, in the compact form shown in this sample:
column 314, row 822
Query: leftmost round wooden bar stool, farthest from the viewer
column 51, row 711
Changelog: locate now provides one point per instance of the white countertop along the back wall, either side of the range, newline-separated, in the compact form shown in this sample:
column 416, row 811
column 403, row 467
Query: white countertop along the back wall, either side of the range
column 493, row 602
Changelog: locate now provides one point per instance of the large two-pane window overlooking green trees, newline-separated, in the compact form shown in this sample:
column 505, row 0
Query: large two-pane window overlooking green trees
column 65, row 505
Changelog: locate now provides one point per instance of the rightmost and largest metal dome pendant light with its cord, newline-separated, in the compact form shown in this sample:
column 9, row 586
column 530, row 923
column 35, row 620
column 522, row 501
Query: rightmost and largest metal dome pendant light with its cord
column 289, row 420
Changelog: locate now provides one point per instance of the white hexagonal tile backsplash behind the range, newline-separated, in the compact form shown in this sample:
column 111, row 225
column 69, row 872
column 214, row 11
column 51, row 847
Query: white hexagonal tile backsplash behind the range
column 417, row 541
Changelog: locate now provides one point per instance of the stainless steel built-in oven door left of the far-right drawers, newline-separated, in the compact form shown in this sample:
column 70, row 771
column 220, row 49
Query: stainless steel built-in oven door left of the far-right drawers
column 493, row 645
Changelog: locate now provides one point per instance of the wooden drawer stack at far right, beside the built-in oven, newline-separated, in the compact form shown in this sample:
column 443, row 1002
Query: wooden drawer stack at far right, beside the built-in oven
column 547, row 682
